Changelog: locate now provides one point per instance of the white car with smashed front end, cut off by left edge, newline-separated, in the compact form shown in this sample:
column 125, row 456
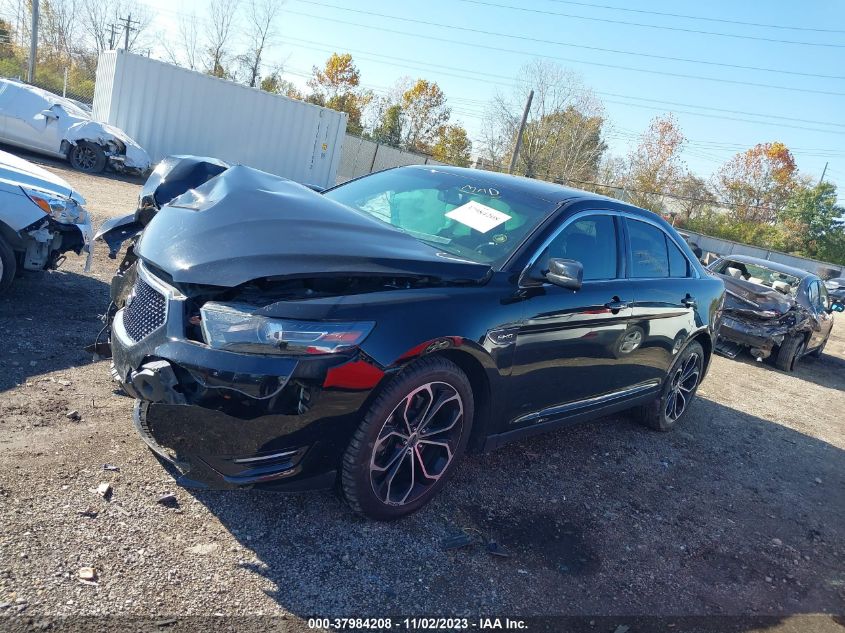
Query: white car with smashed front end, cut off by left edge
column 41, row 218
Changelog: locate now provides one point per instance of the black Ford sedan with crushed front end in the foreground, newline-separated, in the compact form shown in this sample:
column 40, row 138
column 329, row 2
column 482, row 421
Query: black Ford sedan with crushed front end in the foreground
column 280, row 338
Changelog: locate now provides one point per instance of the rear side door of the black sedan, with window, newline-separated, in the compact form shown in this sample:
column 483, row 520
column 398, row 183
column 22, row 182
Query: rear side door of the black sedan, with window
column 663, row 310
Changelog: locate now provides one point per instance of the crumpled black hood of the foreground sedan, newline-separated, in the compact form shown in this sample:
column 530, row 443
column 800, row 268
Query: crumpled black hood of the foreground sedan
column 246, row 224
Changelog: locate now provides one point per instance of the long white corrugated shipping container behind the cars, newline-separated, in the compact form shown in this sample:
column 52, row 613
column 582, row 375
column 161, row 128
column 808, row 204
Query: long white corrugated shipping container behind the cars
column 173, row 110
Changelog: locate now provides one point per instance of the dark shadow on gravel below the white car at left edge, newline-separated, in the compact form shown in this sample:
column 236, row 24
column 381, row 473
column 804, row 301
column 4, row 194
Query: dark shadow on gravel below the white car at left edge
column 46, row 319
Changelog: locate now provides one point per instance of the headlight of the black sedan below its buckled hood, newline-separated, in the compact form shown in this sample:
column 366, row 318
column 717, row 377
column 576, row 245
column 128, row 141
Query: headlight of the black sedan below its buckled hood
column 233, row 327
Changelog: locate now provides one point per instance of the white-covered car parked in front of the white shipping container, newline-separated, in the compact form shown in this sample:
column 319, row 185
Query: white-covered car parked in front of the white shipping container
column 46, row 123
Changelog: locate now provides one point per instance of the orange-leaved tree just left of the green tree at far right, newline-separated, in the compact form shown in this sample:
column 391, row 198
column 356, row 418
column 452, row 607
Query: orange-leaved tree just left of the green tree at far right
column 757, row 183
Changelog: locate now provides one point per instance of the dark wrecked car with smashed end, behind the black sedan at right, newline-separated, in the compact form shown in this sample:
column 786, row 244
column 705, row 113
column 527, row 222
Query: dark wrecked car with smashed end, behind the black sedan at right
column 773, row 310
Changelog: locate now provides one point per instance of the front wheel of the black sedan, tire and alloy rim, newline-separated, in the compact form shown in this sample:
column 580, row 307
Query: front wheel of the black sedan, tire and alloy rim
column 409, row 441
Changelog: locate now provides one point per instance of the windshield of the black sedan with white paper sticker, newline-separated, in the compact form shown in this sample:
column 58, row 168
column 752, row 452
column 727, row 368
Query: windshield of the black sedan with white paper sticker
column 460, row 215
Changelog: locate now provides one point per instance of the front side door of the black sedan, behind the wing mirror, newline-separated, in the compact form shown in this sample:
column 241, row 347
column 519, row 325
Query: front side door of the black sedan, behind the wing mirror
column 570, row 347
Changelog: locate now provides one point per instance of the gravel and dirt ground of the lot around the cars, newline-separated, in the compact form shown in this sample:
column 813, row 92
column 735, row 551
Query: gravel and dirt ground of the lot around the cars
column 741, row 511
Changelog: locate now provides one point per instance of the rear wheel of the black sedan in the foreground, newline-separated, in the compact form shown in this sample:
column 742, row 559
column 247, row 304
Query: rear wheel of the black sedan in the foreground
column 678, row 391
